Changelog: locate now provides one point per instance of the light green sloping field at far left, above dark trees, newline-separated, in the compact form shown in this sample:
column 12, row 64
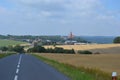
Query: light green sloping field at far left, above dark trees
column 9, row 42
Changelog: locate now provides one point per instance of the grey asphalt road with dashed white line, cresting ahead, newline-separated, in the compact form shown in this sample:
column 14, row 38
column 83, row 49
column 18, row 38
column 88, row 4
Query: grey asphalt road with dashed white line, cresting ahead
column 27, row 67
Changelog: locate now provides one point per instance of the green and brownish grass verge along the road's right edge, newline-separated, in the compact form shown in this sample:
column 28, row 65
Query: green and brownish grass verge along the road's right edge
column 76, row 73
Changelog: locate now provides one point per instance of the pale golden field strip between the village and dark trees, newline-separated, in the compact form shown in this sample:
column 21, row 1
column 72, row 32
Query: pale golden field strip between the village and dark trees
column 86, row 47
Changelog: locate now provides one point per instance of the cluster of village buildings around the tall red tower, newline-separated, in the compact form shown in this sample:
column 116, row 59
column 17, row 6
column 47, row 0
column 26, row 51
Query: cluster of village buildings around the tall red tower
column 68, row 40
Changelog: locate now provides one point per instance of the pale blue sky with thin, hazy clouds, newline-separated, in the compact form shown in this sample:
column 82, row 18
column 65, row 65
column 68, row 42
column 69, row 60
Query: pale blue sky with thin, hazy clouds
column 60, row 17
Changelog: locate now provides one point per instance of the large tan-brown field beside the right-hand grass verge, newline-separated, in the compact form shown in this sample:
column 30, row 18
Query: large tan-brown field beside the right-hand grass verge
column 105, row 62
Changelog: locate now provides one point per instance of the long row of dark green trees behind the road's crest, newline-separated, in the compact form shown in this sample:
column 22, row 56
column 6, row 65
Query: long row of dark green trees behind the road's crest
column 37, row 49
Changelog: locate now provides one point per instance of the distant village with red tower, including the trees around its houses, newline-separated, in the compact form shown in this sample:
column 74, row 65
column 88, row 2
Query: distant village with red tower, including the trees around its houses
column 66, row 40
